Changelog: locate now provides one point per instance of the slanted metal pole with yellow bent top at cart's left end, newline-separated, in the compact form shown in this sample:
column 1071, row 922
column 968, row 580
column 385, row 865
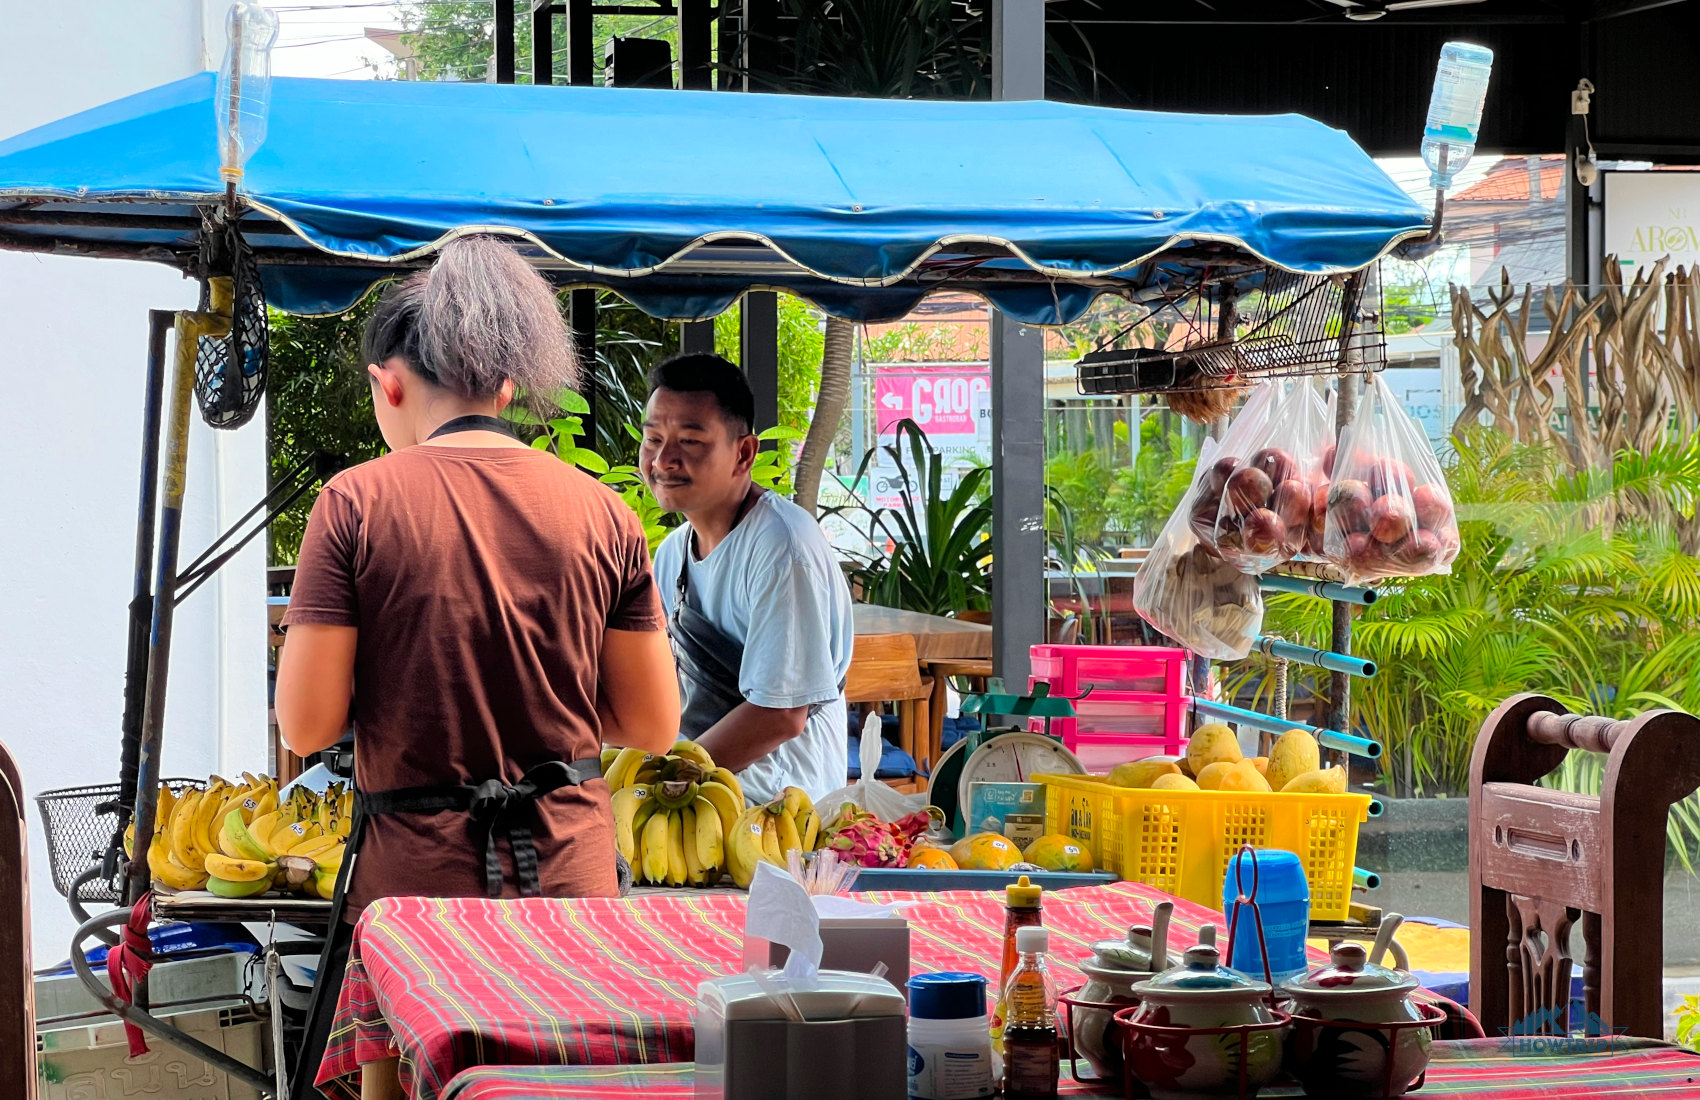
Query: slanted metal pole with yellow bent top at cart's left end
column 191, row 327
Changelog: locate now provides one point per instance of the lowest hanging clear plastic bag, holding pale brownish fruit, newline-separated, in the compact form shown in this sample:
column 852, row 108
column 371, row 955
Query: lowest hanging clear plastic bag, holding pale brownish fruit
column 1194, row 596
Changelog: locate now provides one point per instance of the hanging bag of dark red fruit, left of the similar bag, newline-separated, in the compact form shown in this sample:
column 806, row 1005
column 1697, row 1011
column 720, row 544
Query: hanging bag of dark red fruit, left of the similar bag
column 1255, row 504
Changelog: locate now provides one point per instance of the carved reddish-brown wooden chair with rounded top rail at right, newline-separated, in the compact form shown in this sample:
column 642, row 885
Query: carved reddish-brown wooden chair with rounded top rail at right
column 1543, row 859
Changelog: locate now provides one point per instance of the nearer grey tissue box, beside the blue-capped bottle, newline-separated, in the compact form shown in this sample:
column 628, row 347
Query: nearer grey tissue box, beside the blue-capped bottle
column 851, row 1045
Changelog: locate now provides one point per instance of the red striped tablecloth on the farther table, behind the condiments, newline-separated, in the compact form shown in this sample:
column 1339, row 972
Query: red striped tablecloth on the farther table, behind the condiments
column 598, row 982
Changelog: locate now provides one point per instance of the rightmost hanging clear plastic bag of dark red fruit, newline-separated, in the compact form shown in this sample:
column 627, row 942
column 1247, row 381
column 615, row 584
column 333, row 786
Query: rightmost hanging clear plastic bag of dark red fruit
column 1390, row 511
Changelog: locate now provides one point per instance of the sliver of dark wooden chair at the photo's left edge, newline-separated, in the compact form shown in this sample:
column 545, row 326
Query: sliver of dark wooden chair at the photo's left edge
column 18, row 990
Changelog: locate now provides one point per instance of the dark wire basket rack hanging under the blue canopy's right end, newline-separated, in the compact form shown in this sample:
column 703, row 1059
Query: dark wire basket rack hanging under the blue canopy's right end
column 1235, row 329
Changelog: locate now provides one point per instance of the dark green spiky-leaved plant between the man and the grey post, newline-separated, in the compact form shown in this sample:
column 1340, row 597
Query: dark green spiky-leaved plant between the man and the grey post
column 941, row 543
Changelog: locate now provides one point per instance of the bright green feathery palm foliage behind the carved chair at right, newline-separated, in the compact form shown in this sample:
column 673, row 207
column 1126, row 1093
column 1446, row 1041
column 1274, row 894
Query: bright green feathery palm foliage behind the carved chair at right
column 1541, row 598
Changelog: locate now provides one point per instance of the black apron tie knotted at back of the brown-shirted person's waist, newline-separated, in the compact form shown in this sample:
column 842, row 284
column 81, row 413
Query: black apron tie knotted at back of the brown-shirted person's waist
column 494, row 808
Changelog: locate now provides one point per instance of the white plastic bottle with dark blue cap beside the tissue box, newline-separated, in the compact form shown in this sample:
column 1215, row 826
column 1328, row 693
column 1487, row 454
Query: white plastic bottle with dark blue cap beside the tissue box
column 949, row 1038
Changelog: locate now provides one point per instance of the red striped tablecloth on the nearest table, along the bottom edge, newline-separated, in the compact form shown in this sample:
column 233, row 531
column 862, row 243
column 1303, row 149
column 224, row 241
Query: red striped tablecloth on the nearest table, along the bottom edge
column 1459, row 1070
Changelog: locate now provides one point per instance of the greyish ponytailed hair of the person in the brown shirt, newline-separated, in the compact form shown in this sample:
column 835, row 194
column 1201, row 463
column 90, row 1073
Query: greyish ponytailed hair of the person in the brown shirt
column 479, row 319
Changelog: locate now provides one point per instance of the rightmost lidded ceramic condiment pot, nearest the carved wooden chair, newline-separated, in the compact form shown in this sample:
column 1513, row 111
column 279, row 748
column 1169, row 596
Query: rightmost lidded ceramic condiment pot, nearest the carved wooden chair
column 1334, row 1060
